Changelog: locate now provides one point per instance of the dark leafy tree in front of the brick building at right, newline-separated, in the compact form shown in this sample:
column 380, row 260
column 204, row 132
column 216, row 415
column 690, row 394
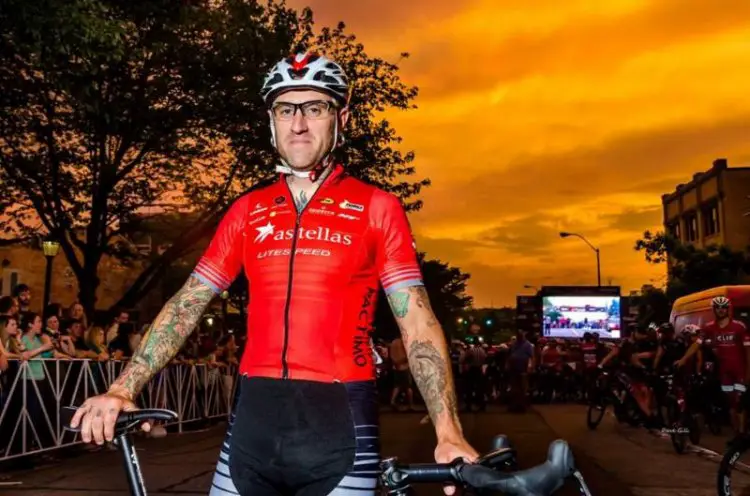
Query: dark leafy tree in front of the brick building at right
column 694, row 269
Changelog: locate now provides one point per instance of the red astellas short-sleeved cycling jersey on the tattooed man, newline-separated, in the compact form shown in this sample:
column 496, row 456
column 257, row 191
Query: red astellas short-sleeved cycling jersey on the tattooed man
column 313, row 276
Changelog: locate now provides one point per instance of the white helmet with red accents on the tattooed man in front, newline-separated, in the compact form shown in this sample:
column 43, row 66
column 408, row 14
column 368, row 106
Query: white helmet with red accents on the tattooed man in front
column 307, row 71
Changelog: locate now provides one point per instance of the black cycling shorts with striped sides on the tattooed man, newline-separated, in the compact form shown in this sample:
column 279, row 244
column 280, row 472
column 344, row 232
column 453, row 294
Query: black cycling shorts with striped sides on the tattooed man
column 291, row 437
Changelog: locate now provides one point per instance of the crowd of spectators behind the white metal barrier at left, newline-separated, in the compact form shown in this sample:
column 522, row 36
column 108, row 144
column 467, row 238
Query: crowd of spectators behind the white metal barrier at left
column 41, row 349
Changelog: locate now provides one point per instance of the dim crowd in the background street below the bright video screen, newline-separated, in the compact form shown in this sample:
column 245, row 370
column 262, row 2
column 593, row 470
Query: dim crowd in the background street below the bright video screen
column 523, row 369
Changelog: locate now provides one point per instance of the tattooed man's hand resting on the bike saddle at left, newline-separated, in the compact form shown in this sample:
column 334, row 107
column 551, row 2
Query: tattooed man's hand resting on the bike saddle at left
column 98, row 414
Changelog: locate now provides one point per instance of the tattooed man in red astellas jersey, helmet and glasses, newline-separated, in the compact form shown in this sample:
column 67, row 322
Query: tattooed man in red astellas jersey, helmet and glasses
column 314, row 245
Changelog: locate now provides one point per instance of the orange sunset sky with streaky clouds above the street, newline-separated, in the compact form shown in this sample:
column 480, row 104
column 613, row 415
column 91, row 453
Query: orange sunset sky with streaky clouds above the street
column 537, row 116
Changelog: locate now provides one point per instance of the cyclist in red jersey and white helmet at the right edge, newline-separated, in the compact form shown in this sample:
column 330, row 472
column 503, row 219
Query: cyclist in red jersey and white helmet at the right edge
column 730, row 342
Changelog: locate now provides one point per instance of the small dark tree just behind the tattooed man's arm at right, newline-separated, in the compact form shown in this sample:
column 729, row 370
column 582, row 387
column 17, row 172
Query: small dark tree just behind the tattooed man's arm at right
column 446, row 289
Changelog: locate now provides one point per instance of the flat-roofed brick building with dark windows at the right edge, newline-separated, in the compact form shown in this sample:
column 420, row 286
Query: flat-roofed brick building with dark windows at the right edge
column 712, row 208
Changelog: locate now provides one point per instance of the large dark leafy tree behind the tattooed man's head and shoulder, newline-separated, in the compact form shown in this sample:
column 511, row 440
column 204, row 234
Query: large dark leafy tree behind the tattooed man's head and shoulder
column 111, row 108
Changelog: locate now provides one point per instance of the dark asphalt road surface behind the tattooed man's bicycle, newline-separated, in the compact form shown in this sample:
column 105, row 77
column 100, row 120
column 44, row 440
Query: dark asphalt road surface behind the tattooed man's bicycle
column 615, row 460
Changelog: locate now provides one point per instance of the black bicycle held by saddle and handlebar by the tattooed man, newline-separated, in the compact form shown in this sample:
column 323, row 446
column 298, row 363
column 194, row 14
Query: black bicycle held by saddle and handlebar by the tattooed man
column 490, row 472
